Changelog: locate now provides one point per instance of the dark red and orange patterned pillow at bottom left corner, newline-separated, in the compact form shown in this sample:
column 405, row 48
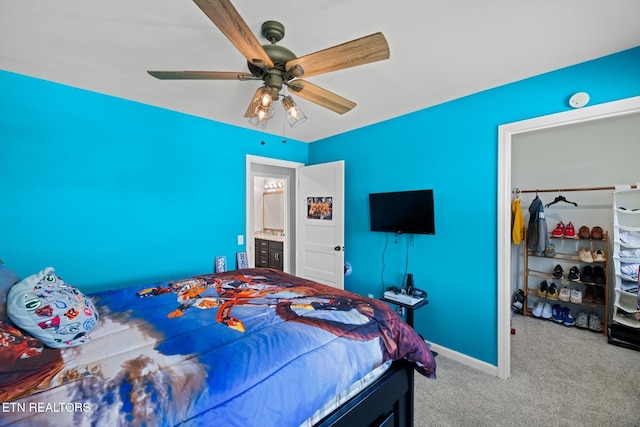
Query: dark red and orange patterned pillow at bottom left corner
column 26, row 365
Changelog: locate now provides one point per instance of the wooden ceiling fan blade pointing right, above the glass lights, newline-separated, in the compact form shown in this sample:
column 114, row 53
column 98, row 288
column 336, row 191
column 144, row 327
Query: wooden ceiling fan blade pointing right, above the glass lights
column 361, row 51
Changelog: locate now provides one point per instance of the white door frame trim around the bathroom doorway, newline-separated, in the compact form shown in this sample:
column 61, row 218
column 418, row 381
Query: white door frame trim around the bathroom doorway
column 249, row 231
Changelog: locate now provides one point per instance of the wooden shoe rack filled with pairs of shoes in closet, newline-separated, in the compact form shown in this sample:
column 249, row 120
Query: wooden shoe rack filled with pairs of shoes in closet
column 566, row 254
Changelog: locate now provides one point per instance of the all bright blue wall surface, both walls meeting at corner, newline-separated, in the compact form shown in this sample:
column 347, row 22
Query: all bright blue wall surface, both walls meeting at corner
column 112, row 192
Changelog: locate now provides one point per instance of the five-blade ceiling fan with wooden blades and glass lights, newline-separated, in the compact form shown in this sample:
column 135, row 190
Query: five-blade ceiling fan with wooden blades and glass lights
column 277, row 66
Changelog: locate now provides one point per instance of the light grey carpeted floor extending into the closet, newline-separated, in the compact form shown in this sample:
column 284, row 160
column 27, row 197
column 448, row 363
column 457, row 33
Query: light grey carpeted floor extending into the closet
column 560, row 376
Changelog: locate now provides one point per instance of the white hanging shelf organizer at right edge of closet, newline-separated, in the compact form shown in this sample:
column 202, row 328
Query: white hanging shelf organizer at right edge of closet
column 626, row 246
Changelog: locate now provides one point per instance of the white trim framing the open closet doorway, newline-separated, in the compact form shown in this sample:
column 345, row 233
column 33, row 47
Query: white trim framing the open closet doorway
column 505, row 135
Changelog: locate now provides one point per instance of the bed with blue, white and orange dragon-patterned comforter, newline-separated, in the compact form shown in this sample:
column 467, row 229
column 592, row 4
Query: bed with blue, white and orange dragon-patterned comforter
column 252, row 347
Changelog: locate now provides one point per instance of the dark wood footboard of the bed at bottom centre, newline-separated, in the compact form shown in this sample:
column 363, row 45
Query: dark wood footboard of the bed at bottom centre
column 388, row 402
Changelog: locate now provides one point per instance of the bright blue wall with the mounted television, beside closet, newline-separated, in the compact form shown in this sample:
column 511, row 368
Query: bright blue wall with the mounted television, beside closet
column 452, row 148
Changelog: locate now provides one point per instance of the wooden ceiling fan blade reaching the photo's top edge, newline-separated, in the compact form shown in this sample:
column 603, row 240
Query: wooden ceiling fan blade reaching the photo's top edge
column 228, row 20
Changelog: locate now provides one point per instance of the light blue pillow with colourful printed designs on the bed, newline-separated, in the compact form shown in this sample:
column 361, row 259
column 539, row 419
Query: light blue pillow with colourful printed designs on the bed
column 51, row 310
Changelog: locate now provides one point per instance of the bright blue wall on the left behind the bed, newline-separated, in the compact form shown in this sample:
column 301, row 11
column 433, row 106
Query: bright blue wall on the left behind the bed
column 112, row 192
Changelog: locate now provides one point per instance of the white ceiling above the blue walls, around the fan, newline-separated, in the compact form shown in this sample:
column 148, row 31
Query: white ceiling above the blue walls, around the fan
column 440, row 50
